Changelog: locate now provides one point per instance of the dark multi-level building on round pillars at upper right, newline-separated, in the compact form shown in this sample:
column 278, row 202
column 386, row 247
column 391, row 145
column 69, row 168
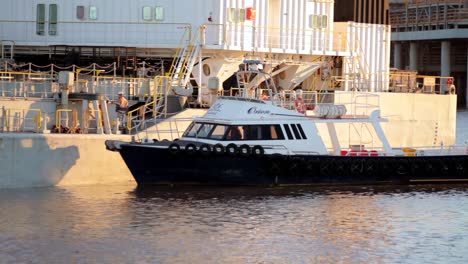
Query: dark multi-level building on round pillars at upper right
column 430, row 37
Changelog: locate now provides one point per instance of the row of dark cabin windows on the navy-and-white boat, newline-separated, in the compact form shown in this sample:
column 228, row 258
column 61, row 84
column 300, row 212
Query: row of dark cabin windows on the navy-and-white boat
column 244, row 132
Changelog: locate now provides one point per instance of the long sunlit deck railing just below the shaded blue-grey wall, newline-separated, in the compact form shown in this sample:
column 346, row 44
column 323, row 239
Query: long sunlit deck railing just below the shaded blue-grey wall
column 42, row 82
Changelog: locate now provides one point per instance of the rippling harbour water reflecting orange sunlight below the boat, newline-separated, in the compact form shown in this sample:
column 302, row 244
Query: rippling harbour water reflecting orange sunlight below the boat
column 126, row 224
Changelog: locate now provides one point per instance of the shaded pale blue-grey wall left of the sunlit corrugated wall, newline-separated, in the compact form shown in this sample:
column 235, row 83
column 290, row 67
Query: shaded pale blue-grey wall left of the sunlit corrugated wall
column 119, row 22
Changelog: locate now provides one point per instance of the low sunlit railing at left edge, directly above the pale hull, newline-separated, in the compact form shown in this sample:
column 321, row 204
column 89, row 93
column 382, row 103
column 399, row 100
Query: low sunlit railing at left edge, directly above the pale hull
column 20, row 120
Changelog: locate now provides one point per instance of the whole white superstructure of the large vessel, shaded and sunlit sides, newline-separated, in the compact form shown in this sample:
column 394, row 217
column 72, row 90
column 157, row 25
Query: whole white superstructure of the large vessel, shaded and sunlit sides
column 298, row 39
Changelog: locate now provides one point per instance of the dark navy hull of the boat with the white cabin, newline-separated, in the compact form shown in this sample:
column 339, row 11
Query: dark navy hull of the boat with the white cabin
column 160, row 166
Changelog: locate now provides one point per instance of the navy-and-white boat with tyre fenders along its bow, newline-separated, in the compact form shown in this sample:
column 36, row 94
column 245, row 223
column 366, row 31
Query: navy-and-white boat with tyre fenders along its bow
column 246, row 141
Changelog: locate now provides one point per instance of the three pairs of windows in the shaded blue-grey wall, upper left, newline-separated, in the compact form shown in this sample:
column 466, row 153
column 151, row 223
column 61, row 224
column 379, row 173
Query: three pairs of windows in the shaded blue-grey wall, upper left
column 92, row 13
